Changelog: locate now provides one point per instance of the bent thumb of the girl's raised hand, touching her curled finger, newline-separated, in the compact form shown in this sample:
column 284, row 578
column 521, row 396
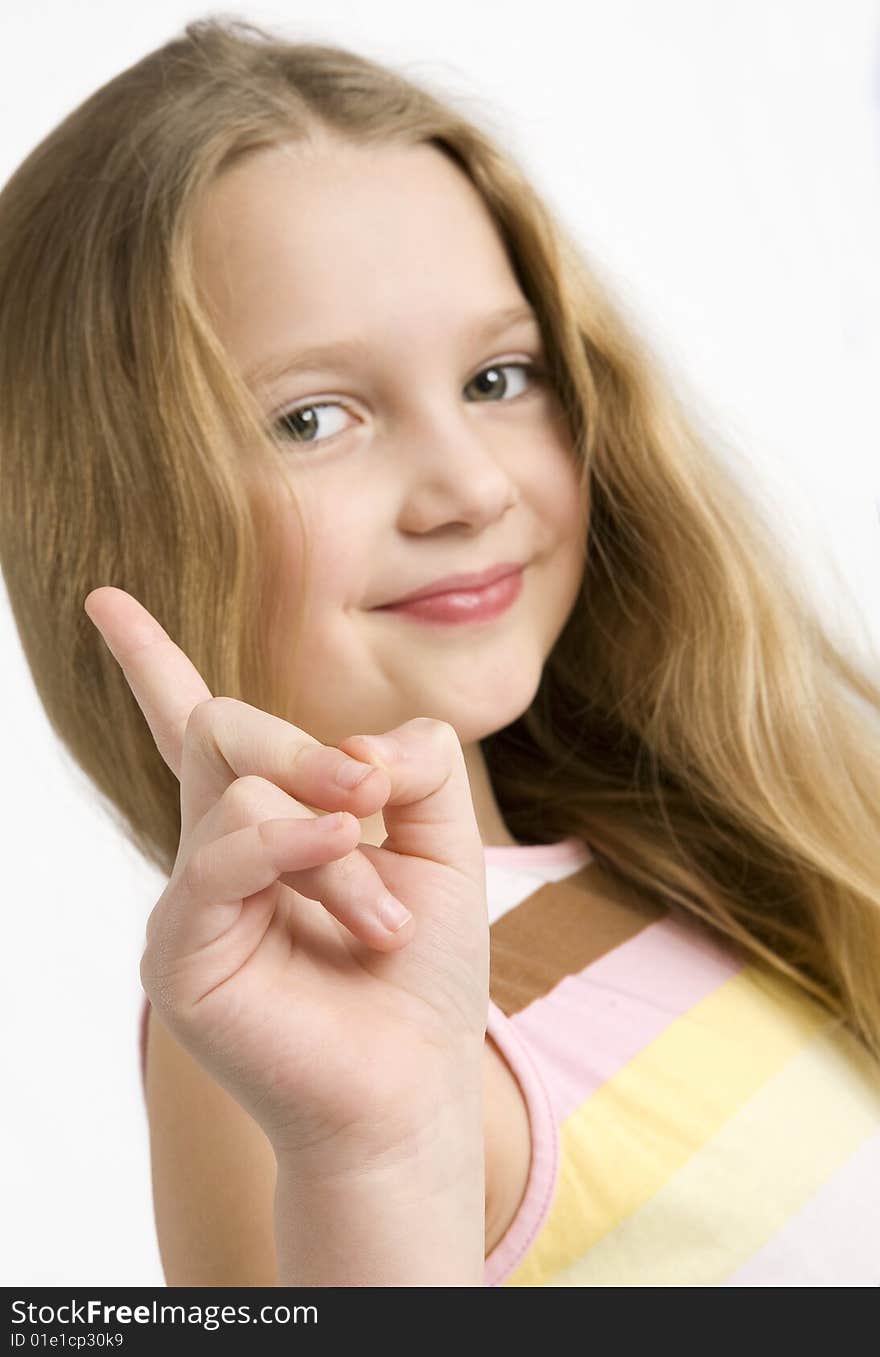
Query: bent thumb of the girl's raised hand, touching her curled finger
column 430, row 812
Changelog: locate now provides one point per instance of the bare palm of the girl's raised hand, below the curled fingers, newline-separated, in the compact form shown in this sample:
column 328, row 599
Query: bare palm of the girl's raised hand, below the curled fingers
column 320, row 1020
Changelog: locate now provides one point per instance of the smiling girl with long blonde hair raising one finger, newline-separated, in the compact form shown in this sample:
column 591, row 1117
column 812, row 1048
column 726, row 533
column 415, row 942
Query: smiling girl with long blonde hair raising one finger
column 581, row 986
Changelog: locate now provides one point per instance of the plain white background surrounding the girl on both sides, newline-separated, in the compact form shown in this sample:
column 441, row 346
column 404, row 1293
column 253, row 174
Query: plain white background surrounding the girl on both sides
column 723, row 165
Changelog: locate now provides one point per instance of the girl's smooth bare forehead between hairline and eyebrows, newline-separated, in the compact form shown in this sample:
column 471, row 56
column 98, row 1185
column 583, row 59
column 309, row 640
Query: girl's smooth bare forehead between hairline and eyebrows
column 340, row 234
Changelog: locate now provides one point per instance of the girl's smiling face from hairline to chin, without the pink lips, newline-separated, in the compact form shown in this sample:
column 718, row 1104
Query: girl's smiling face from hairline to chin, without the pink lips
column 411, row 461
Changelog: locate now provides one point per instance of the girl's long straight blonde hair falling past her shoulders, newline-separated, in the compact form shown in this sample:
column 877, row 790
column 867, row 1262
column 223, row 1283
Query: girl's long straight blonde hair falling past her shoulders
column 696, row 723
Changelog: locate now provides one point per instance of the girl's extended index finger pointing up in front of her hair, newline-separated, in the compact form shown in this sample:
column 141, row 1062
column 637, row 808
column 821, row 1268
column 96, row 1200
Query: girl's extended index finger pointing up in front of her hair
column 165, row 682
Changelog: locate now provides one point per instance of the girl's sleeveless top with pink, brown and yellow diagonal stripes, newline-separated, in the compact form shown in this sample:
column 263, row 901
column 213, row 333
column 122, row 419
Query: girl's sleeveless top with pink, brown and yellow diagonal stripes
column 696, row 1119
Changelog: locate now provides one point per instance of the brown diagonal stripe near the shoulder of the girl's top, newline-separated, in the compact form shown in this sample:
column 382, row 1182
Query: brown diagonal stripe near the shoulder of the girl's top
column 559, row 930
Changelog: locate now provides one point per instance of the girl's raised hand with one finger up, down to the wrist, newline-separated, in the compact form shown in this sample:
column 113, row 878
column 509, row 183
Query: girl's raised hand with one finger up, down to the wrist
column 267, row 955
